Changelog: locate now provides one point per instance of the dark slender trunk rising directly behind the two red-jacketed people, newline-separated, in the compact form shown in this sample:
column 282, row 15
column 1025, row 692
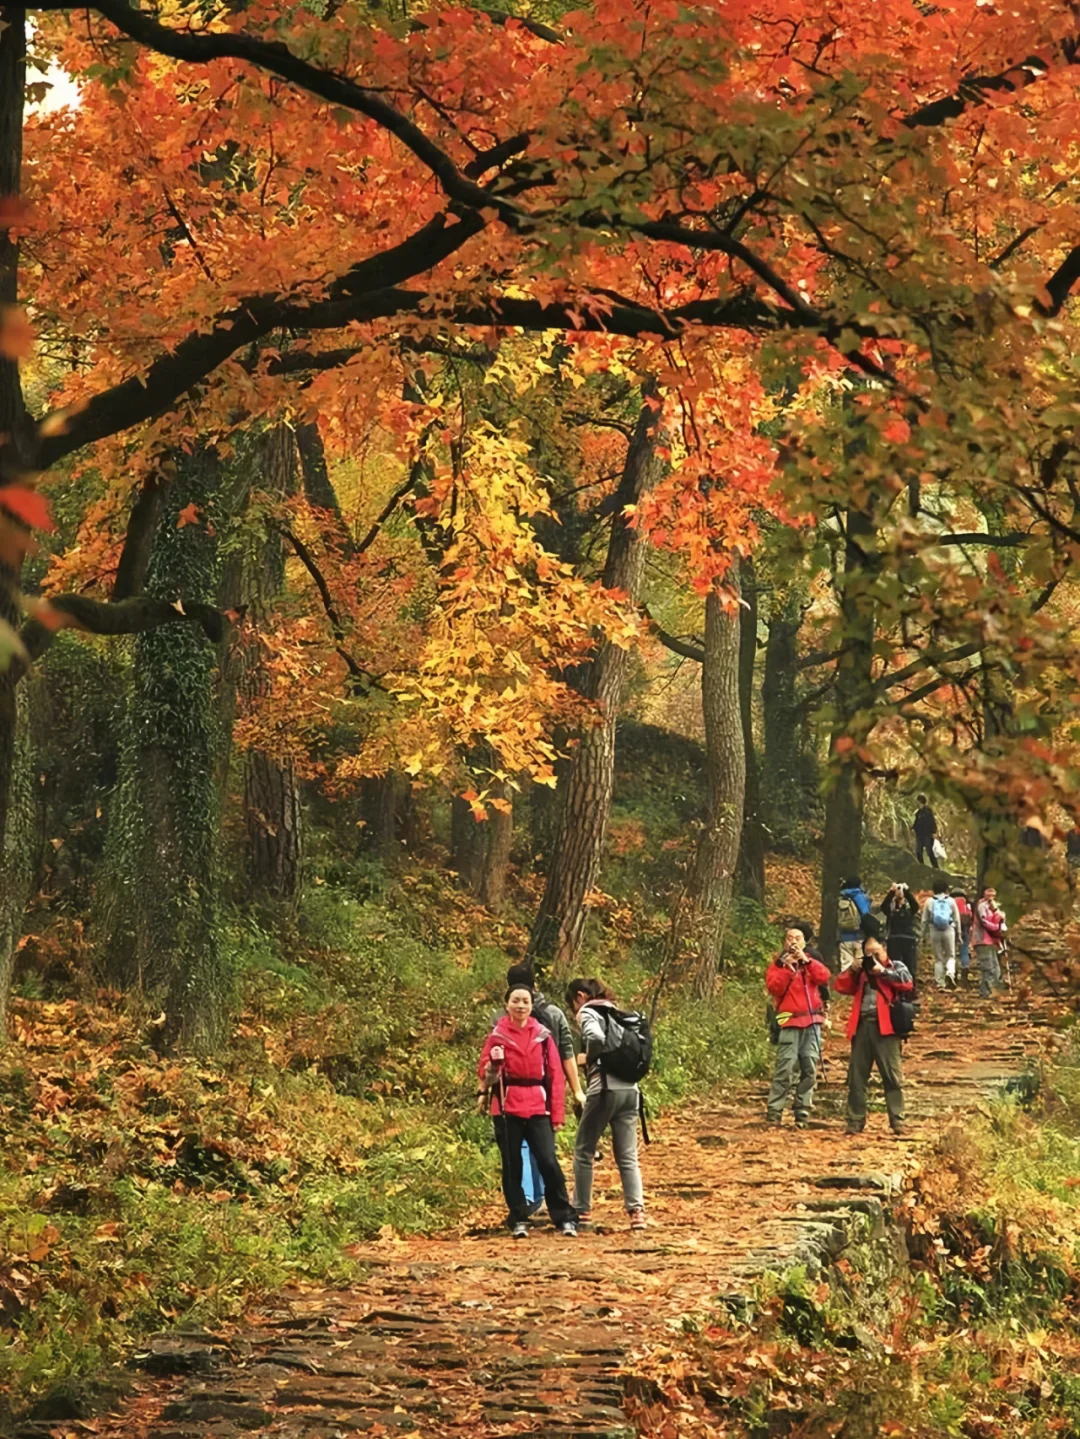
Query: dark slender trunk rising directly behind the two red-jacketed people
column 842, row 850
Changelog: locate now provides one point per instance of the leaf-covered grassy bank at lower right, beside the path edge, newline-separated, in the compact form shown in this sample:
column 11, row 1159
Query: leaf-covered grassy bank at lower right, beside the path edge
column 961, row 1319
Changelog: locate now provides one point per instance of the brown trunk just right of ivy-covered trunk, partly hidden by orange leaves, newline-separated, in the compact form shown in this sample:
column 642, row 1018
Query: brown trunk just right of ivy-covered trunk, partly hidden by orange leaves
column 274, row 811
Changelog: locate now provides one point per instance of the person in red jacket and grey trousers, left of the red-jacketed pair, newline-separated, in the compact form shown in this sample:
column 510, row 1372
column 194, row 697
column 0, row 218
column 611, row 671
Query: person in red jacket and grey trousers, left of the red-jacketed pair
column 793, row 981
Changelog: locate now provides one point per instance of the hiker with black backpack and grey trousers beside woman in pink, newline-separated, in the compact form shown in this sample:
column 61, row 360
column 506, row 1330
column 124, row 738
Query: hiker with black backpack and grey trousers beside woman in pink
column 619, row 1051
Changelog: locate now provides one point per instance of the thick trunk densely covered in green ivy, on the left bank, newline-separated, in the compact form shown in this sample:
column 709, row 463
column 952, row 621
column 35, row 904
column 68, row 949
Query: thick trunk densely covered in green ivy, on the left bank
column 163, row 887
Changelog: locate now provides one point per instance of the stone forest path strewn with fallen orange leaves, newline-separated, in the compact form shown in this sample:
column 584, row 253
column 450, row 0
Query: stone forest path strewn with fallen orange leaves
column 474, row 1335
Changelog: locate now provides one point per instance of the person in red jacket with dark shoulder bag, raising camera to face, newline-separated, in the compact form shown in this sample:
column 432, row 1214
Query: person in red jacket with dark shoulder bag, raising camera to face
column 875, row 985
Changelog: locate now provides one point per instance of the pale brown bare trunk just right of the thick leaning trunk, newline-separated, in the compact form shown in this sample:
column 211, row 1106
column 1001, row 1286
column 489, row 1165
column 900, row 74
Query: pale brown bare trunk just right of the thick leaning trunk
column 726, row 779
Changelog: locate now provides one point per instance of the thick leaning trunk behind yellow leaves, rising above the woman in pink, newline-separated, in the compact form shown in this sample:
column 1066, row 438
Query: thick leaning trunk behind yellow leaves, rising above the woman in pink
column 586, row 786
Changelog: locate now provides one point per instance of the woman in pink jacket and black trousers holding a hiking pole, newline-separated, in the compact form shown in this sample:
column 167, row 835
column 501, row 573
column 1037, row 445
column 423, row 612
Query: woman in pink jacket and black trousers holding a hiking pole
column 521, row 1070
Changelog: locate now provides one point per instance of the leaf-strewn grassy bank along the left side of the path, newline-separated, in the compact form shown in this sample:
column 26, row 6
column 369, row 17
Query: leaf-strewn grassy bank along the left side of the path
column 142, row 1192
